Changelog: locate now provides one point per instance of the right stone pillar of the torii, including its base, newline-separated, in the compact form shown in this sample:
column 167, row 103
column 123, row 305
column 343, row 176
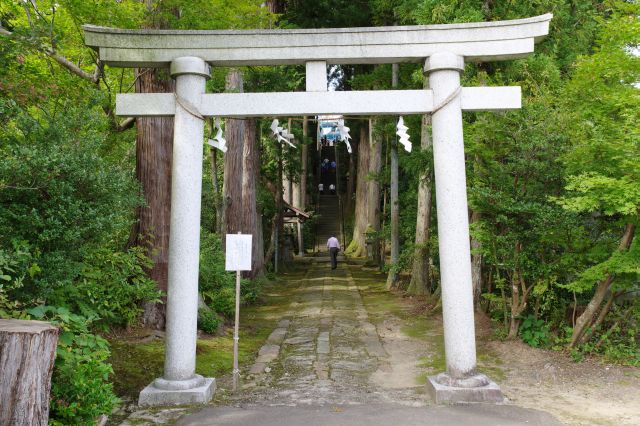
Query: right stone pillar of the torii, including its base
column 460, row 382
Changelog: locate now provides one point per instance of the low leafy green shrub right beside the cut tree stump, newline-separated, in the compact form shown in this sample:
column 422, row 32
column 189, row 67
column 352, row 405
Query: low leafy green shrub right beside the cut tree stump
column 80, row 389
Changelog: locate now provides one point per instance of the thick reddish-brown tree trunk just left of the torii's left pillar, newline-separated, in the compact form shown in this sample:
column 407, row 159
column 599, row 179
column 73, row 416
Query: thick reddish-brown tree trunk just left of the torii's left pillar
column 154, row 150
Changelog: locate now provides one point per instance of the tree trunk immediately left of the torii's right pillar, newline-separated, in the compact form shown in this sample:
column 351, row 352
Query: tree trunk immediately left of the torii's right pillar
column 420, row 283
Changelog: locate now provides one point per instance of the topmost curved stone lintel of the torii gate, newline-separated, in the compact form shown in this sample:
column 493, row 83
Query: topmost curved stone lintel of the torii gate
column 478, row 41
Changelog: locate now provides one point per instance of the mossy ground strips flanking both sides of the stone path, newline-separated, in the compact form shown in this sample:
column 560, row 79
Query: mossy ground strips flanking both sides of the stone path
column 136, row 363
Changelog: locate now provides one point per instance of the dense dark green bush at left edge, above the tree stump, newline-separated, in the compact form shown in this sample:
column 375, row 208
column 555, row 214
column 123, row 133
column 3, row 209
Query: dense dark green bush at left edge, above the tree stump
column 60, row 194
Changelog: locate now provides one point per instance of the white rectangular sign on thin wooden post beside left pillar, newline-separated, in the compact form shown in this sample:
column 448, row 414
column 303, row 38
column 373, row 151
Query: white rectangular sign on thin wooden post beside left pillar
column 238, row 258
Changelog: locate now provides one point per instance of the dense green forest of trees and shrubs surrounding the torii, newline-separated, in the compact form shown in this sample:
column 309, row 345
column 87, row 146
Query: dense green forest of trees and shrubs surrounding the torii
column 554, row 188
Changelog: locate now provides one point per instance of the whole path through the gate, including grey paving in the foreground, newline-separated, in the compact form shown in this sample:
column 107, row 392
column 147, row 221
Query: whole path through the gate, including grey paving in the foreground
column 327, row 362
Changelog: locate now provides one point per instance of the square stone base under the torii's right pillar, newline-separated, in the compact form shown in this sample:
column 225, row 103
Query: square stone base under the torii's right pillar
column 454, row 393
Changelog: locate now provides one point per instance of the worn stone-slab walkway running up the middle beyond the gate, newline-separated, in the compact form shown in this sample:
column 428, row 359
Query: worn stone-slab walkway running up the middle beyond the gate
column 325, row 351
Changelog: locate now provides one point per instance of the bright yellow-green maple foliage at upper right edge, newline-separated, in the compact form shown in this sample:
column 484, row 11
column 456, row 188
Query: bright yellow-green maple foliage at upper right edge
column 603, row 111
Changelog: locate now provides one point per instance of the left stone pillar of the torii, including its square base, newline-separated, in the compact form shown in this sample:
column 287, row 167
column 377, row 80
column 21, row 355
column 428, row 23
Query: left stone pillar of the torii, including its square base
column 180, row 385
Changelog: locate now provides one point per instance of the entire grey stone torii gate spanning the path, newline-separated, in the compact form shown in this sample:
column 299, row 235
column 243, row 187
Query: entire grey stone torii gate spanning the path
column 442, row 48
